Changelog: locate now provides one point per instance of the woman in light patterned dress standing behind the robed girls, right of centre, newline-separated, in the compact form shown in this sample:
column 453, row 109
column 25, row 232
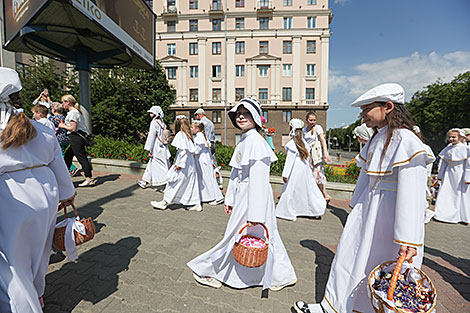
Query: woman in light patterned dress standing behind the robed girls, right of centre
column 315, row 138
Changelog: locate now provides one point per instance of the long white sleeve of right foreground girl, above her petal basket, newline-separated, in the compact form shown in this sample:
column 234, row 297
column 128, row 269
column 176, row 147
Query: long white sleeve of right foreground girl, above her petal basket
column 411, row 203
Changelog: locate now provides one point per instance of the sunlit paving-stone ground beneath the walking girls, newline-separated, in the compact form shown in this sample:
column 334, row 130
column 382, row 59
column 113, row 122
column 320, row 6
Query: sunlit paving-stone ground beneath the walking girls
column 137, row 260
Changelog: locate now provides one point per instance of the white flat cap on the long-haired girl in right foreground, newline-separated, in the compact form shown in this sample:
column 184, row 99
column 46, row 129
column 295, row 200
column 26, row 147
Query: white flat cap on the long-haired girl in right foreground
column 382, row 93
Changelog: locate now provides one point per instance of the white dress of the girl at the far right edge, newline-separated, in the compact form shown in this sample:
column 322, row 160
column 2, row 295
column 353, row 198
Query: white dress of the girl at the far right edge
column 453, row 199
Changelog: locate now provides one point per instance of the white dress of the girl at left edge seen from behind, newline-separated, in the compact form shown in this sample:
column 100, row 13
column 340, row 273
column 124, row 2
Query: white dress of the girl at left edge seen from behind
column 33, row 179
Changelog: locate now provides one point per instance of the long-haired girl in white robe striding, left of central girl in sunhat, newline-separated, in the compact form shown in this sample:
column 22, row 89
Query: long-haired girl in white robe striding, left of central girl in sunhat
column 182, row 187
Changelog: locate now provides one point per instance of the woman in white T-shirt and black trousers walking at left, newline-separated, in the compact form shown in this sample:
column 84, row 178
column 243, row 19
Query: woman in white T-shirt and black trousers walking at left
column 77, row 130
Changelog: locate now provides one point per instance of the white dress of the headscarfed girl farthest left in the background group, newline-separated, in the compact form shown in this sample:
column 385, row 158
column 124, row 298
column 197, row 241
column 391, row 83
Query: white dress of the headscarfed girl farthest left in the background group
column 156, row 172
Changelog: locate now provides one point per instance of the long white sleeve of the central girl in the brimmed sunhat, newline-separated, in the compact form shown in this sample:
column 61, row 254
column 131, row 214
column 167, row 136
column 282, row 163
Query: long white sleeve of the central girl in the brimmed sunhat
column 259, row 191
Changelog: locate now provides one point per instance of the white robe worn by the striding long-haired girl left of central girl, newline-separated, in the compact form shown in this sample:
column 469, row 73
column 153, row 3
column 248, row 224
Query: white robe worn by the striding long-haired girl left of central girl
column 182, row 186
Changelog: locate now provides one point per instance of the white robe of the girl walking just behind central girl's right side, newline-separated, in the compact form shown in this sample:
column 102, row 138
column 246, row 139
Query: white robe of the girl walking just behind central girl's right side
column 300, row 195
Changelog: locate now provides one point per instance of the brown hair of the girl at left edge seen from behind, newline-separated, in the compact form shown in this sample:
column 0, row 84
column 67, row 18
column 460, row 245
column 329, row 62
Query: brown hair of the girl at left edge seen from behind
column 19, row 129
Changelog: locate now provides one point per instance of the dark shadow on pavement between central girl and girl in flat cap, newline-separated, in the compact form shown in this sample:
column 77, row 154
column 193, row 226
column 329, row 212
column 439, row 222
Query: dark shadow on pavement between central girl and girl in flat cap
column 323, row 259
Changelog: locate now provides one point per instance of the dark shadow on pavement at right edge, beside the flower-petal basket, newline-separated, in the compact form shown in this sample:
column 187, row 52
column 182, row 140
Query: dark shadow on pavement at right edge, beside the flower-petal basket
column 459, row 282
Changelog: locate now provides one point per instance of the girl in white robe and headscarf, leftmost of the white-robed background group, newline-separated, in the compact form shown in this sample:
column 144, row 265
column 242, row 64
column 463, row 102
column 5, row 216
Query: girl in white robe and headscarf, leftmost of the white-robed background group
column 156, row 172
